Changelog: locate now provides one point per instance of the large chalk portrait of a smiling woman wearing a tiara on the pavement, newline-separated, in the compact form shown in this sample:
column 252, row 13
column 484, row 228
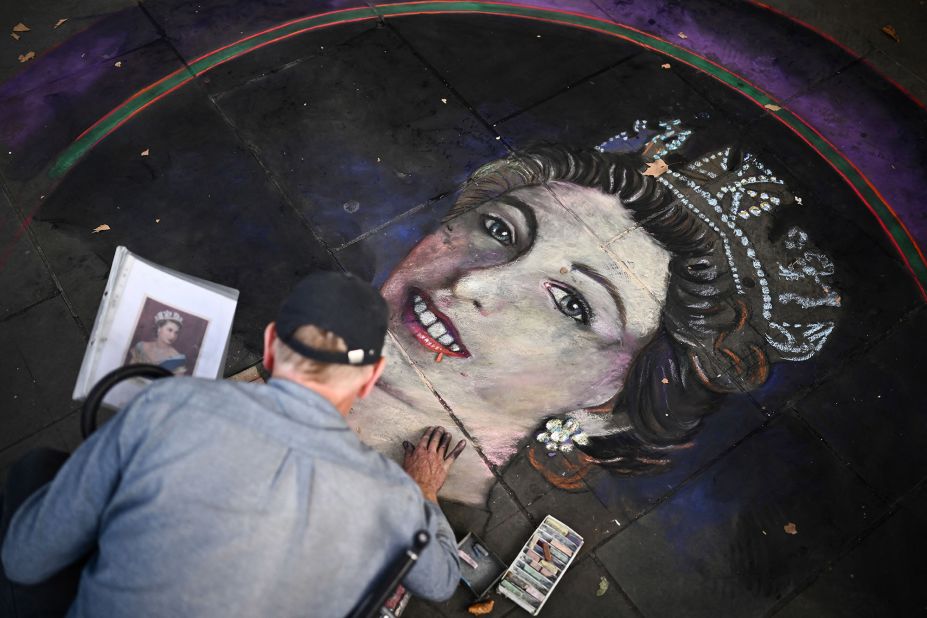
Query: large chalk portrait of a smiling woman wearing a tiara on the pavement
column 570, row 299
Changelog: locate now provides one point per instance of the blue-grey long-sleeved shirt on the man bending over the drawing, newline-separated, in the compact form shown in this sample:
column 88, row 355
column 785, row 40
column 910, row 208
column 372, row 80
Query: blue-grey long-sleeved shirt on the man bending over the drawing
column 217, row 498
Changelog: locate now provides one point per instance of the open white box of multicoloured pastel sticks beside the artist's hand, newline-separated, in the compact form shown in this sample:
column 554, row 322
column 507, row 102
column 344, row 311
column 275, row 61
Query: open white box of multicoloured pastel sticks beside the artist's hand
column 540, row 565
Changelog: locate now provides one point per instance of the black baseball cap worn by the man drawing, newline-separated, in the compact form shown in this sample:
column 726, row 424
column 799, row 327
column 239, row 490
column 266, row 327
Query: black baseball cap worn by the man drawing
column 342, row 304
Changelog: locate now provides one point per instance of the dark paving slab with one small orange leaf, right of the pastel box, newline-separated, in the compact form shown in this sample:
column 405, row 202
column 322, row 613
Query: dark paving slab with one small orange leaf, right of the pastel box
column 722, row 541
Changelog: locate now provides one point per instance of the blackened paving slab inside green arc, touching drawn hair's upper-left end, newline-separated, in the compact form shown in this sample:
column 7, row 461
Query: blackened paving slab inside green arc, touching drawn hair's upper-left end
column 407, row 137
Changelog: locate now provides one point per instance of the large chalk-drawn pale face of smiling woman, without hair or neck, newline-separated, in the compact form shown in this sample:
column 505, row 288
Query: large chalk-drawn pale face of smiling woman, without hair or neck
column 530, row 314
